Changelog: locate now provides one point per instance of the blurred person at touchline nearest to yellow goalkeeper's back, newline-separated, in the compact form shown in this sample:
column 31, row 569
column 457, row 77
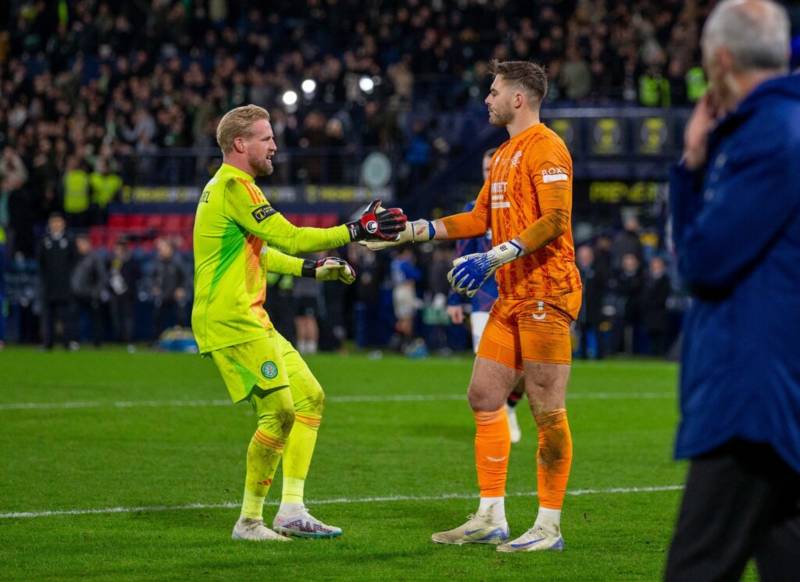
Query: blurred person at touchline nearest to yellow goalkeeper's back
column 170, row 281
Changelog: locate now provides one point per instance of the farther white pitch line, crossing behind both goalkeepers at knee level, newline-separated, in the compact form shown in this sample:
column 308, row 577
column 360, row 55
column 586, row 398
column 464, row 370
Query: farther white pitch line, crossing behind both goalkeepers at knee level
column 331, row 399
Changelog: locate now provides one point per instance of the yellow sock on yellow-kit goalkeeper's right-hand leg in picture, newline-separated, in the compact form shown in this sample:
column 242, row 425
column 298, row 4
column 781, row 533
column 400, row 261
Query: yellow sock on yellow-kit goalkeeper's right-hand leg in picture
column 297, row 456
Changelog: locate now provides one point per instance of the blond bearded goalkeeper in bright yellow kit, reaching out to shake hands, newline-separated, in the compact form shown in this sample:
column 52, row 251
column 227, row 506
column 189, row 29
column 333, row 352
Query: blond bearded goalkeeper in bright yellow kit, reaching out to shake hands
column 238, row 237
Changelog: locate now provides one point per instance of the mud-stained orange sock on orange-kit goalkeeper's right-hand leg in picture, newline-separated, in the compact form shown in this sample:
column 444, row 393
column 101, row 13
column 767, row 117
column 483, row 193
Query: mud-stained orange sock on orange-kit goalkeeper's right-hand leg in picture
column 554, row 458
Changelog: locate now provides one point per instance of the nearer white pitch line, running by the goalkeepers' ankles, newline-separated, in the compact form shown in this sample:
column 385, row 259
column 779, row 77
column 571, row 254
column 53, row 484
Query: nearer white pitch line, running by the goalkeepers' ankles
column 331, row 501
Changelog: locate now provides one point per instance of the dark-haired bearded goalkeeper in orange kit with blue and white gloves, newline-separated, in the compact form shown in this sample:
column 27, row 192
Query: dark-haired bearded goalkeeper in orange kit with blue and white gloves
column 526, row 202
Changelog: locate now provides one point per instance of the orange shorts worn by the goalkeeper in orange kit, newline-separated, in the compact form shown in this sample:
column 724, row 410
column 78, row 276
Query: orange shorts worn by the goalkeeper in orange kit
column 531, row 329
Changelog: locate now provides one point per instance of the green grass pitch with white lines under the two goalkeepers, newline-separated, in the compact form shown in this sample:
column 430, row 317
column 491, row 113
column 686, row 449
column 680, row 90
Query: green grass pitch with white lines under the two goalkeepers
column 148, row 440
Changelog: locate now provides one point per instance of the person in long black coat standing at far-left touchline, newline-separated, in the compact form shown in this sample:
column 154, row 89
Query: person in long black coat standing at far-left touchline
column 56, row 257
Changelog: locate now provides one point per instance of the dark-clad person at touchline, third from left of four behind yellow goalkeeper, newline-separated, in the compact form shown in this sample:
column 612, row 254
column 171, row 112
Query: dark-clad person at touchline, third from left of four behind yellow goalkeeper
column 123, row 281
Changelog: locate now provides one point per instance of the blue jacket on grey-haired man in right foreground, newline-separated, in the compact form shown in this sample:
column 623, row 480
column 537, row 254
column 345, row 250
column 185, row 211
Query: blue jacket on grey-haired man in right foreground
column 736, row 227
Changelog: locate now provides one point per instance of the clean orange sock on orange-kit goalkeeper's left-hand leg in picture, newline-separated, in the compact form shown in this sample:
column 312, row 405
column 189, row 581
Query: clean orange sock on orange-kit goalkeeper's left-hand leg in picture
column 492, row 446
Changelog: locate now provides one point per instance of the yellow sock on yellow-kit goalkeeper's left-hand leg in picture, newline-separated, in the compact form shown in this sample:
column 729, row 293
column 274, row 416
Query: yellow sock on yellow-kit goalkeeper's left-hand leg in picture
column 263, row 456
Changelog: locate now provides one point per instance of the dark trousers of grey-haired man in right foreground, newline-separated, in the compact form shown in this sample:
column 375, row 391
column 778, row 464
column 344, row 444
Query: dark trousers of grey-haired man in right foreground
column 741, row 501
